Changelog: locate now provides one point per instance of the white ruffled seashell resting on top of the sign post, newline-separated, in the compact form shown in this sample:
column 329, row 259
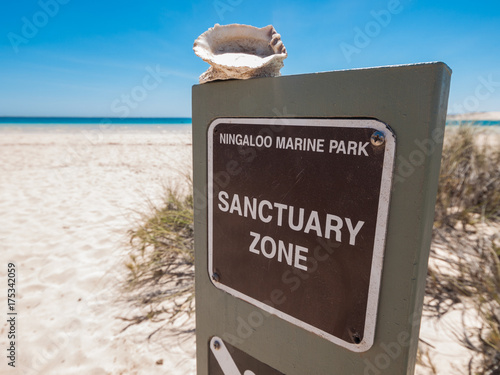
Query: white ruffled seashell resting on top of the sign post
column 240, row 52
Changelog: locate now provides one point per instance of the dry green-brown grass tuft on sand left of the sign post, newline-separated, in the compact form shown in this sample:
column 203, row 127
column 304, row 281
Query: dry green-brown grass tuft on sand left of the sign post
column 161, row 262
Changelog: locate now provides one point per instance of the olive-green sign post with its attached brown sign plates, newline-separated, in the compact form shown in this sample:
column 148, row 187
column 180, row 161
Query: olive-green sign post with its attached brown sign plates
column 314, row 199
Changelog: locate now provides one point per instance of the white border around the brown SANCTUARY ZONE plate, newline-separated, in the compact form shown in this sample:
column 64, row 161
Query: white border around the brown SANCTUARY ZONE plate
column 380, row 232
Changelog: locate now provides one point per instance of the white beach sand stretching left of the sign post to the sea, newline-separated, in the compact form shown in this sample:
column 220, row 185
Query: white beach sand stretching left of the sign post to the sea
column 67, row 201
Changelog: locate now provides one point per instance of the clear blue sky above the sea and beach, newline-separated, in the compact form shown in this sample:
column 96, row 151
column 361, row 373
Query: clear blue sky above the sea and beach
column 84, row 58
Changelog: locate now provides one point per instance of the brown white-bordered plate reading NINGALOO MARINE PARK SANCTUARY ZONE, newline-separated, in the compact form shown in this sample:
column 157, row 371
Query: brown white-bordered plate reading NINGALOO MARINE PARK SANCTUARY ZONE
column 297, row 219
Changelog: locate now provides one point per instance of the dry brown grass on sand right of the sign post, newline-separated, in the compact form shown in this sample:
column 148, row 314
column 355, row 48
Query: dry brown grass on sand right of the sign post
column 464, row 271
